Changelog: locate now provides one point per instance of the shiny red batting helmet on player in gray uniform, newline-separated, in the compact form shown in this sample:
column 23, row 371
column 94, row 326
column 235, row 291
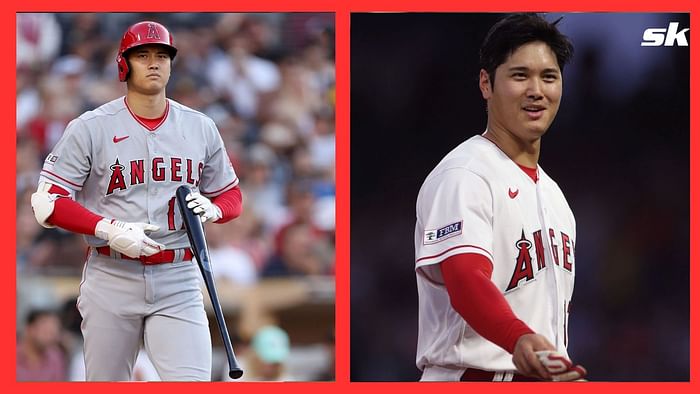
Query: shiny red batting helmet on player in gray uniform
column 143, row 33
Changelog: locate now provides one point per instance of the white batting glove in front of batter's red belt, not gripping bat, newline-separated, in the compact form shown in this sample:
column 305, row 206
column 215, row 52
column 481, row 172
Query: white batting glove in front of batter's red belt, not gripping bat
column 128, row 238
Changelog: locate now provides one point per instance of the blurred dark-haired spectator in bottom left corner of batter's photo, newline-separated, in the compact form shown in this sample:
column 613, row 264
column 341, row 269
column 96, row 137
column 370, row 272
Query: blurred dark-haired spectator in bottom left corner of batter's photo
column 39, row 354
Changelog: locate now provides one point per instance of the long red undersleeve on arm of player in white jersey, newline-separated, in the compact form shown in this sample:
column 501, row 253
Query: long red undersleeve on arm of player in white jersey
column 472, row 294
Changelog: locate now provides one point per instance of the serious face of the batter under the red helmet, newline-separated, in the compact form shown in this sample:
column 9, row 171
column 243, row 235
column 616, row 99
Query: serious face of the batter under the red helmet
column 149, row 69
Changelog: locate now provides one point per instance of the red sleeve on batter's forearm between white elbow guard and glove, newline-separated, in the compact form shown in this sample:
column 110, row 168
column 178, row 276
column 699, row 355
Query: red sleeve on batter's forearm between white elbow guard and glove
column 70, row 215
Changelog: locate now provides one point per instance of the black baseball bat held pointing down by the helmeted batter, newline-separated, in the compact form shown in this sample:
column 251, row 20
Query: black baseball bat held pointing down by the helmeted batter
column 195, row 232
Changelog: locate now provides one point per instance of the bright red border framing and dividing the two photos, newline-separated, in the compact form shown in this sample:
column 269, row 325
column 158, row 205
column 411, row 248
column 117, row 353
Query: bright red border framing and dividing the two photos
column 342, row 8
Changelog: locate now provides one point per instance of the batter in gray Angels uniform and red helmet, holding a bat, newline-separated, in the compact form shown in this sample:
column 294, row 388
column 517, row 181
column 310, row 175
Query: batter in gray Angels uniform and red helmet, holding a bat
column 112, row 176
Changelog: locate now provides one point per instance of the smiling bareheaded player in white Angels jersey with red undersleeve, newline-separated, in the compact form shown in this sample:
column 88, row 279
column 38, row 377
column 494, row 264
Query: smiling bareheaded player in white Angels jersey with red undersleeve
column 494, row 236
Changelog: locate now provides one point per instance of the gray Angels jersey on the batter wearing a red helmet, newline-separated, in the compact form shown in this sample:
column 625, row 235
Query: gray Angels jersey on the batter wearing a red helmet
column 119, row 169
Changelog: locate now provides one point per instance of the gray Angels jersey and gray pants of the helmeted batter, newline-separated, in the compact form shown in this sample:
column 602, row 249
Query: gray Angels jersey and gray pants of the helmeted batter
column 117, row 167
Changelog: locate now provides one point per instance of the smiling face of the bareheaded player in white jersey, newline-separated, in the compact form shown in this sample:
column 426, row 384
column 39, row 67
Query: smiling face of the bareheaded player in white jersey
column 526, row 92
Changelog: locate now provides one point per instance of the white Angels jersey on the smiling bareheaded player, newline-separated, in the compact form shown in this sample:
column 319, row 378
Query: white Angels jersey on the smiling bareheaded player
column 477, row 200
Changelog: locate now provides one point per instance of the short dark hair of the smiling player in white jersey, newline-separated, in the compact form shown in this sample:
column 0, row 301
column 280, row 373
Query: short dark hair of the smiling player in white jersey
column 515, row 30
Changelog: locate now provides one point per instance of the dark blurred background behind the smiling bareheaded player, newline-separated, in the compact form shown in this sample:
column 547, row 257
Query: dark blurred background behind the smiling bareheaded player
column 619, row 149
